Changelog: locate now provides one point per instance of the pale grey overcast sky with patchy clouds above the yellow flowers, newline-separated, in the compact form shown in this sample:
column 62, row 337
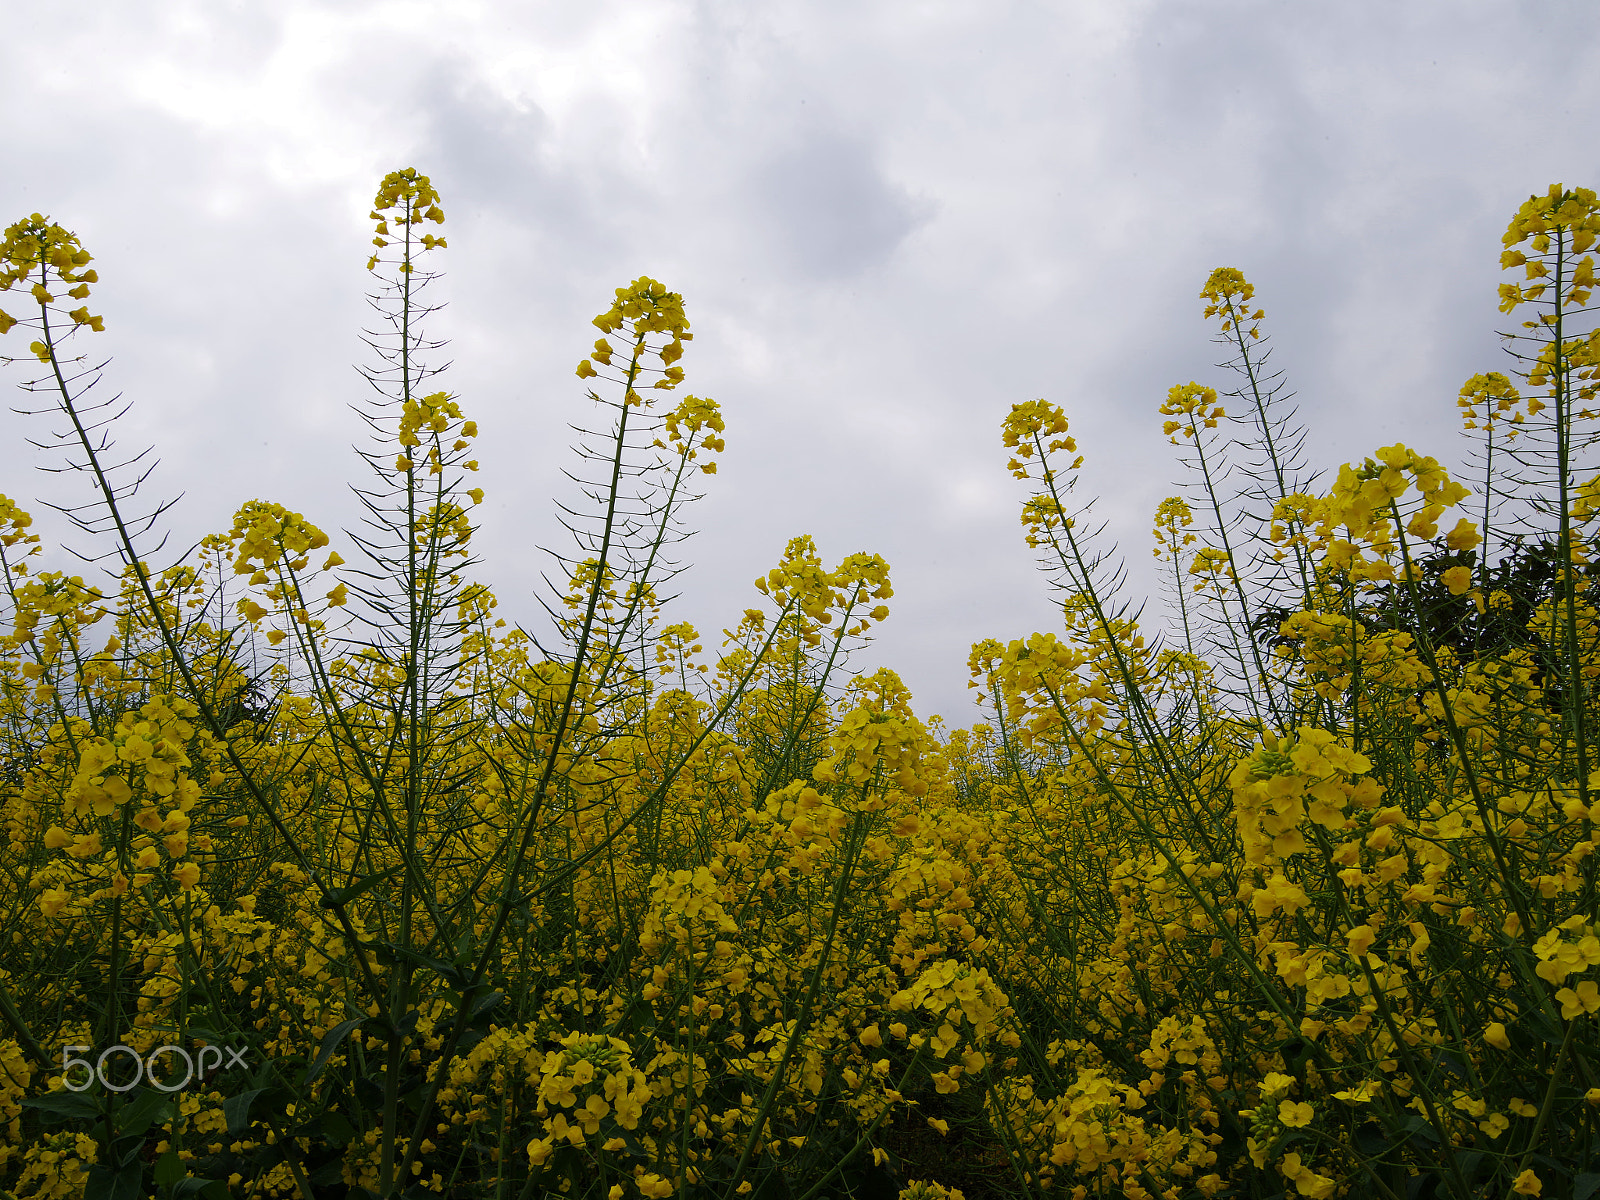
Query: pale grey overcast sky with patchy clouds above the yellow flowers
column 889, row 222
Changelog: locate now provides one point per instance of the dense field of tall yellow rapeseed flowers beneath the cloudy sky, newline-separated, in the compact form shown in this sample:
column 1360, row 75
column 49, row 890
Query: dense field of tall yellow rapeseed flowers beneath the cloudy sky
column 322, row 878
